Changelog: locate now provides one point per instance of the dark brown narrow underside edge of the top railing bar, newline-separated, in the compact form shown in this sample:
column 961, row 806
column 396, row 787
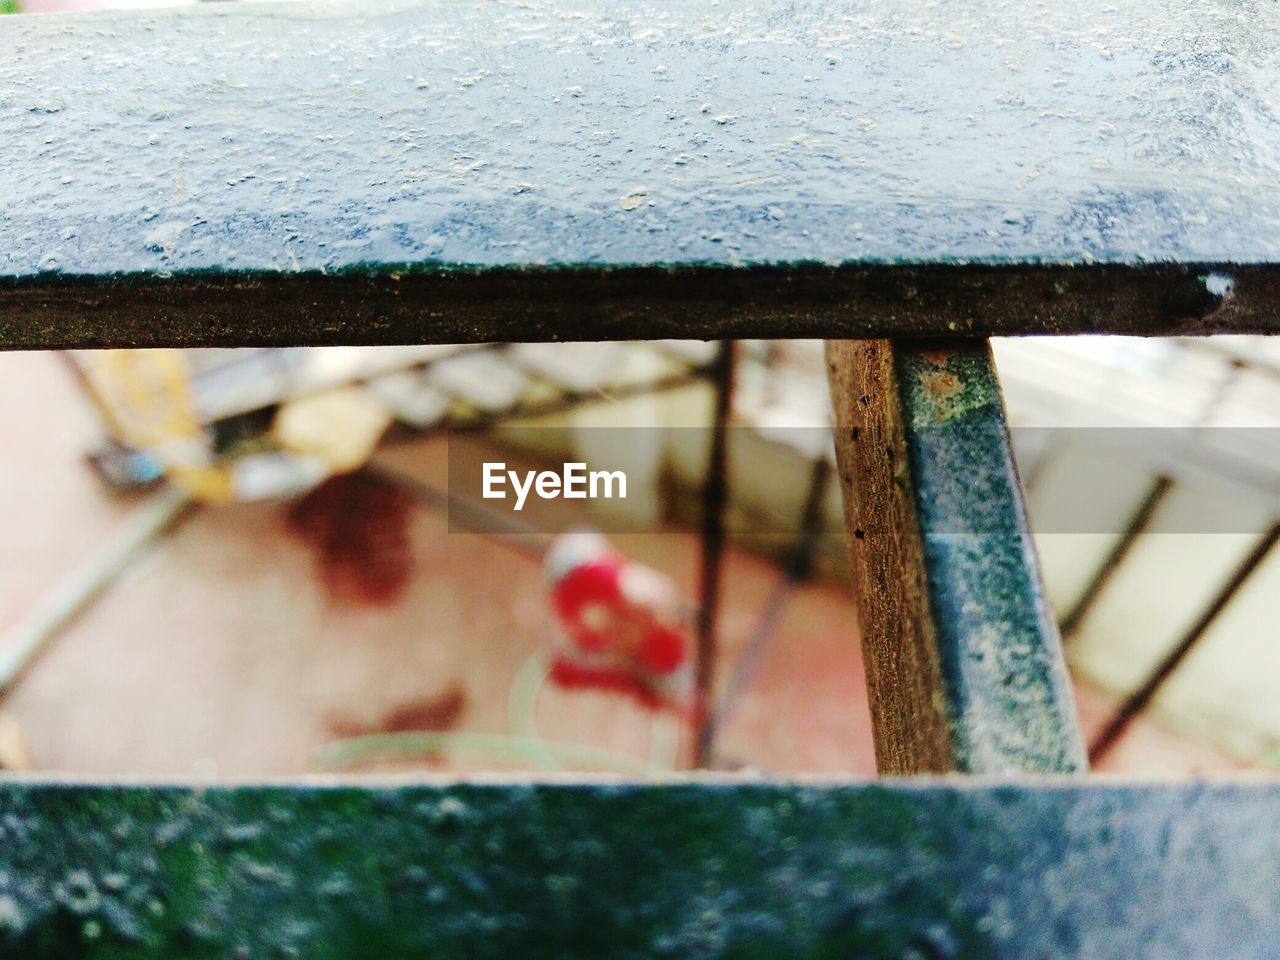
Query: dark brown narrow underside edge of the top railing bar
column 396, row 305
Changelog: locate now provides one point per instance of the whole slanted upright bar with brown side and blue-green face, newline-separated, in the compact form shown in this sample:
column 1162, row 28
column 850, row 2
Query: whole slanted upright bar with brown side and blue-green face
column 966, row 668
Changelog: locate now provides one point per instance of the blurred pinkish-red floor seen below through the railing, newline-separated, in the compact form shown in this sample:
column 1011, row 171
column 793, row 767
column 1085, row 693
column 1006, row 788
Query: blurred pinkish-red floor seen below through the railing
column 222, row 652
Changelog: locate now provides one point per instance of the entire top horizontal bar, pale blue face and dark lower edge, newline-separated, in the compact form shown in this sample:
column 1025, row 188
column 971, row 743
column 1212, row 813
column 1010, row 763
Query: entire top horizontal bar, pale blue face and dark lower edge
column 356, row 175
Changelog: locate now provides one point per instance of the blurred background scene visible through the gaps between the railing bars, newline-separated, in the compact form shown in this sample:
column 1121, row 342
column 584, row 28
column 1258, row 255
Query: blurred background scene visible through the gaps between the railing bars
column 253, row 563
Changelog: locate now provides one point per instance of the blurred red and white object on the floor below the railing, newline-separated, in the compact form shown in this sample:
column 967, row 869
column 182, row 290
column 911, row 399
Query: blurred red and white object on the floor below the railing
column 621, row 627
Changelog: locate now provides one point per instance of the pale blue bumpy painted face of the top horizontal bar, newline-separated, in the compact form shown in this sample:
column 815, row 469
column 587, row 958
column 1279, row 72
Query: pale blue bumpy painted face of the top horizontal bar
column 574, row 132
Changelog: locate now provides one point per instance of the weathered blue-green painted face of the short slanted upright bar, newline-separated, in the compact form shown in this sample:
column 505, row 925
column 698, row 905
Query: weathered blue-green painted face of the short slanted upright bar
column 1008, row 692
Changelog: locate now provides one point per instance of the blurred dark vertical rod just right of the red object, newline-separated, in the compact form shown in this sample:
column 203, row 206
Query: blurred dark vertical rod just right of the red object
column 715, row 501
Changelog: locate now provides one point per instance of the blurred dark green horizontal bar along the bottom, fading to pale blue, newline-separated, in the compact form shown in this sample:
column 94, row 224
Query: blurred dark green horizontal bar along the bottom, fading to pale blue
column 893, row 870
